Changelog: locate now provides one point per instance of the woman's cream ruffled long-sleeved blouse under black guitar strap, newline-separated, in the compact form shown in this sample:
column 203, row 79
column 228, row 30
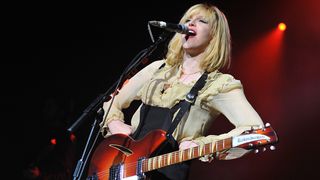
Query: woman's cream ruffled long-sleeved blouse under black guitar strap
column 222, row 93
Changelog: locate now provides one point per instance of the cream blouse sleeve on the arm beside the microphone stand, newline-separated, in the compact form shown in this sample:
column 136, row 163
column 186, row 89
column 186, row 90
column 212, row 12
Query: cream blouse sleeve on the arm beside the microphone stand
column 127, row 94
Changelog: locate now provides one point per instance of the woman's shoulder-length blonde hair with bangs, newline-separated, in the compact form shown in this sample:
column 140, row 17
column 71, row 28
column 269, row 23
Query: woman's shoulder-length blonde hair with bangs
column 218, row 53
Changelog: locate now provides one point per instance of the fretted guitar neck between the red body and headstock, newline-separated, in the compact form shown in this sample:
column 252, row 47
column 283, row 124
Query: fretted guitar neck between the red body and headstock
column 175, row 157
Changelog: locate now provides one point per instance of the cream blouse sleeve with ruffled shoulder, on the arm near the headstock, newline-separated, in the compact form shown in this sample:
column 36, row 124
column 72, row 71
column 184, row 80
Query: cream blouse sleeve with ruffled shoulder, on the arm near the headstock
column 232, row 103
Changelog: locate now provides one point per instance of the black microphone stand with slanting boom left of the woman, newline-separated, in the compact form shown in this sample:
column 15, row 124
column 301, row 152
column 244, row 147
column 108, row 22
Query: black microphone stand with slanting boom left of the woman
column 97, row 106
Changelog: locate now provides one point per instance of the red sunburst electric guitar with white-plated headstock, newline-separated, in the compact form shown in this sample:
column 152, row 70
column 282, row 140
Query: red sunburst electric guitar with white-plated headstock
column 119, row 157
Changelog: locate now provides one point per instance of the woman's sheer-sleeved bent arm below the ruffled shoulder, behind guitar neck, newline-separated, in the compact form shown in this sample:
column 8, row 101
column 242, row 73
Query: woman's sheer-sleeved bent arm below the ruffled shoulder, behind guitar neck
column 236, row 108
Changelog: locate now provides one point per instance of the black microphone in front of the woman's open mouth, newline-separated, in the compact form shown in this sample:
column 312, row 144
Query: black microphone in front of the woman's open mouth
column 179, row 28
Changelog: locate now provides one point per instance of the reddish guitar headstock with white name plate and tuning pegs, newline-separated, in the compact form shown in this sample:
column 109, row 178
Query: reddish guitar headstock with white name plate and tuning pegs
column 256, row 138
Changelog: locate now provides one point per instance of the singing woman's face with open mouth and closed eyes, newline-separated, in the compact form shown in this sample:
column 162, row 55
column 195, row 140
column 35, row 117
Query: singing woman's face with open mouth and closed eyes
column 196, row 44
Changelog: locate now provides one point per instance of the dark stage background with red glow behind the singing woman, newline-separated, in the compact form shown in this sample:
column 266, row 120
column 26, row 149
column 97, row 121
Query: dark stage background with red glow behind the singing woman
column 65, row 55
